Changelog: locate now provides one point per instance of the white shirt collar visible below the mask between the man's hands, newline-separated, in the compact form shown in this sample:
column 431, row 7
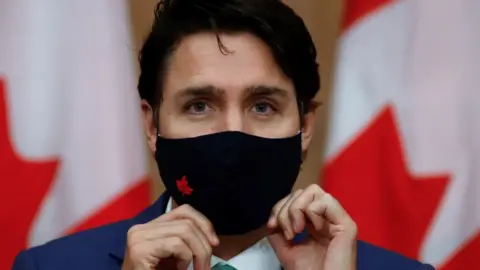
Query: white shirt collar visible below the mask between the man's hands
column 260, row 256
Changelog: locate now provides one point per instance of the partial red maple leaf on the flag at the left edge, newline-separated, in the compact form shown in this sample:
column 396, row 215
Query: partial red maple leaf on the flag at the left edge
column 24, row 186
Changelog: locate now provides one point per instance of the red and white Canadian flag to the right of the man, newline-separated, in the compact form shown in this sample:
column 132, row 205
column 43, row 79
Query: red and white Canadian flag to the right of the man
column 403, row 151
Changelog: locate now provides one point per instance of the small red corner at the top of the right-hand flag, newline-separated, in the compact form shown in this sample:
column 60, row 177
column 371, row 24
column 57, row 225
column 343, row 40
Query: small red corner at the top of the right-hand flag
column 357, row 9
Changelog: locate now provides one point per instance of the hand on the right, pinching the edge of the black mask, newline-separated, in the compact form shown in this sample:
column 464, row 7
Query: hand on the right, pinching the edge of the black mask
column 331, row 244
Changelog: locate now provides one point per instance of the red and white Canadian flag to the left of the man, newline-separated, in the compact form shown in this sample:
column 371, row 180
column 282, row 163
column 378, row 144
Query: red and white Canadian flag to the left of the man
column 71, row 146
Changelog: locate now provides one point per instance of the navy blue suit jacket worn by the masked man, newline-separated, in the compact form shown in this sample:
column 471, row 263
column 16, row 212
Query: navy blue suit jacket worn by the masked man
column 103, row 248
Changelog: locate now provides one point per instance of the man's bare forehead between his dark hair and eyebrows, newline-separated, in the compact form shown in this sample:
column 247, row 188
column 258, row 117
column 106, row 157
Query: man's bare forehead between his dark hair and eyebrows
column 198, row 61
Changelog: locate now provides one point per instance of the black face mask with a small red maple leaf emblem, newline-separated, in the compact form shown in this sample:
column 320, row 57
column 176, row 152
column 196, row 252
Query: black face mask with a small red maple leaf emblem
column 233, row 178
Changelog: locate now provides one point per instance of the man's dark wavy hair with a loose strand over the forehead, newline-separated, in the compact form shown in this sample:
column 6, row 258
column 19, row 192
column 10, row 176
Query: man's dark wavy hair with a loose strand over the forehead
column 270, row 20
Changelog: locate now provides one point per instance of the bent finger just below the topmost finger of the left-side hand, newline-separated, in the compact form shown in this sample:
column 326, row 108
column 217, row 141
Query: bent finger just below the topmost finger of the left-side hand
column 187, row 230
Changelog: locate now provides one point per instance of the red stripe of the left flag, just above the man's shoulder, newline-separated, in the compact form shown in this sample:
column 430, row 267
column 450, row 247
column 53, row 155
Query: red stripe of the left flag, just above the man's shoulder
column 124, row 206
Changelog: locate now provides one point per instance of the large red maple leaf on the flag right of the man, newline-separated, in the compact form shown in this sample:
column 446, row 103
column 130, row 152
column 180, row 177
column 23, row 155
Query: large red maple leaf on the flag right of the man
column 392, row 208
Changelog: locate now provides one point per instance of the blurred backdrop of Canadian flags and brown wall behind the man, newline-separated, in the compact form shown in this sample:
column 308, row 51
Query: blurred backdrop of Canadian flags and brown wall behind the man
column 397, row 138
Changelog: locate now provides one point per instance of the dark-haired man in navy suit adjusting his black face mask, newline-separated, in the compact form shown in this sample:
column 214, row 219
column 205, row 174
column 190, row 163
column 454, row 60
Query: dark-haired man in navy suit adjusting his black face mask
column 227, row 90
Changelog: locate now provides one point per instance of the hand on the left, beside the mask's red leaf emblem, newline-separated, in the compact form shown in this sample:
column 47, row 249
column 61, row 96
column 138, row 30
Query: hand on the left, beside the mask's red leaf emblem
column 172, row 241
